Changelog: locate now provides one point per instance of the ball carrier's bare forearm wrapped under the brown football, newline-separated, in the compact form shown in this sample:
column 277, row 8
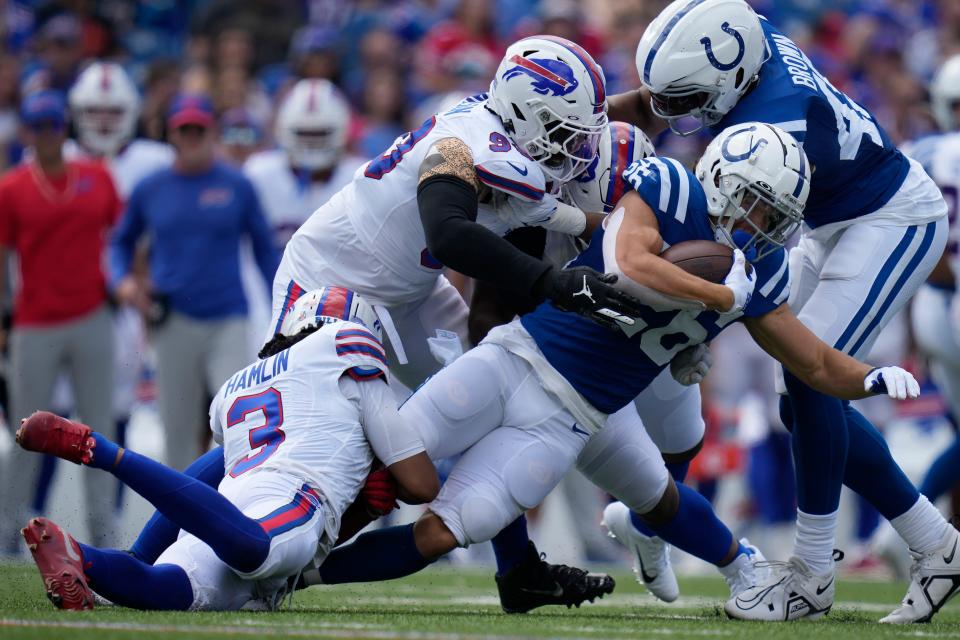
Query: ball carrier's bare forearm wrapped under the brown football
column 654, row 272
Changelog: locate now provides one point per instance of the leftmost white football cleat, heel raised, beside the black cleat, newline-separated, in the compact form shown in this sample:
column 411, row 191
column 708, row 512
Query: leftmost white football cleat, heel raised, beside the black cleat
column 651, row 556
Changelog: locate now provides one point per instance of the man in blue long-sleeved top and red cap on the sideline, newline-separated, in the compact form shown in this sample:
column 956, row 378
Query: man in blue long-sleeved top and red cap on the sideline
column 196, row 215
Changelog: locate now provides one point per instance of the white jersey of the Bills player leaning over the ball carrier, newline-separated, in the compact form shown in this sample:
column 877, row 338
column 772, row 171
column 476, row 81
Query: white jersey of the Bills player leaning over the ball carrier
column 370, row 232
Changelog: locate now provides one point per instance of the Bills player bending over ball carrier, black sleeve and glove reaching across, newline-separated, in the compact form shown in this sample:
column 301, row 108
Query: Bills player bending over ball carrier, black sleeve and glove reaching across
column 445, row 193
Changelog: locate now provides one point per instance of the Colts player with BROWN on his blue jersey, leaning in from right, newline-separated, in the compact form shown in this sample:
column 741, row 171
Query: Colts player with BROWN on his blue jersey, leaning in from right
column 875, row 226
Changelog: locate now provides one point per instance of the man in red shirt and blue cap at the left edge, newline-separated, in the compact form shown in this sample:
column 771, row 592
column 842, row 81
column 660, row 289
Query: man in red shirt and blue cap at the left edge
column 55, row 215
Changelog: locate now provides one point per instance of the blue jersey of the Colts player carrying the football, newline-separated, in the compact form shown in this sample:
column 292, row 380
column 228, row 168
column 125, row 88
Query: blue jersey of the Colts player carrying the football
column 610, row 368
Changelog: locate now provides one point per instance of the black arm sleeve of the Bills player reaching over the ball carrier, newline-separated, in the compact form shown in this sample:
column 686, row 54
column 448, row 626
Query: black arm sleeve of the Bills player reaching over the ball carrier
column 448, row 211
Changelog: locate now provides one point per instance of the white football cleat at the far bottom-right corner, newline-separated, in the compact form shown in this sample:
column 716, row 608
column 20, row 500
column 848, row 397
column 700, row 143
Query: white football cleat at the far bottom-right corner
column 934, row 579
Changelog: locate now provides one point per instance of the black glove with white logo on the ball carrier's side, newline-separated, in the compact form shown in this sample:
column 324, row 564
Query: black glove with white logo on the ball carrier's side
column 589, row 293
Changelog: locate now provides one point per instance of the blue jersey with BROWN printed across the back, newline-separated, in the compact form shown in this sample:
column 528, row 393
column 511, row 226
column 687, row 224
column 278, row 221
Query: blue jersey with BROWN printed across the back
column 856, row 169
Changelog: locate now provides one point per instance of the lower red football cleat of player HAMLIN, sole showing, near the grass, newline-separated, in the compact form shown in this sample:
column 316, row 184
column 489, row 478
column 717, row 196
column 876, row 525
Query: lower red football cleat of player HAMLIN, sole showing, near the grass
column 60, row 563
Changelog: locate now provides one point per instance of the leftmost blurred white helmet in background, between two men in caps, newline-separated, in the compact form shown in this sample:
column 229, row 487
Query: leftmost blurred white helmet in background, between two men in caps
column 105, row 105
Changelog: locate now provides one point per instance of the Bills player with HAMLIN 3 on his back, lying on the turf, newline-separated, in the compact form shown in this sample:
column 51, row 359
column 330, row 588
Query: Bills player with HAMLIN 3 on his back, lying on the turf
column 300, row 429
